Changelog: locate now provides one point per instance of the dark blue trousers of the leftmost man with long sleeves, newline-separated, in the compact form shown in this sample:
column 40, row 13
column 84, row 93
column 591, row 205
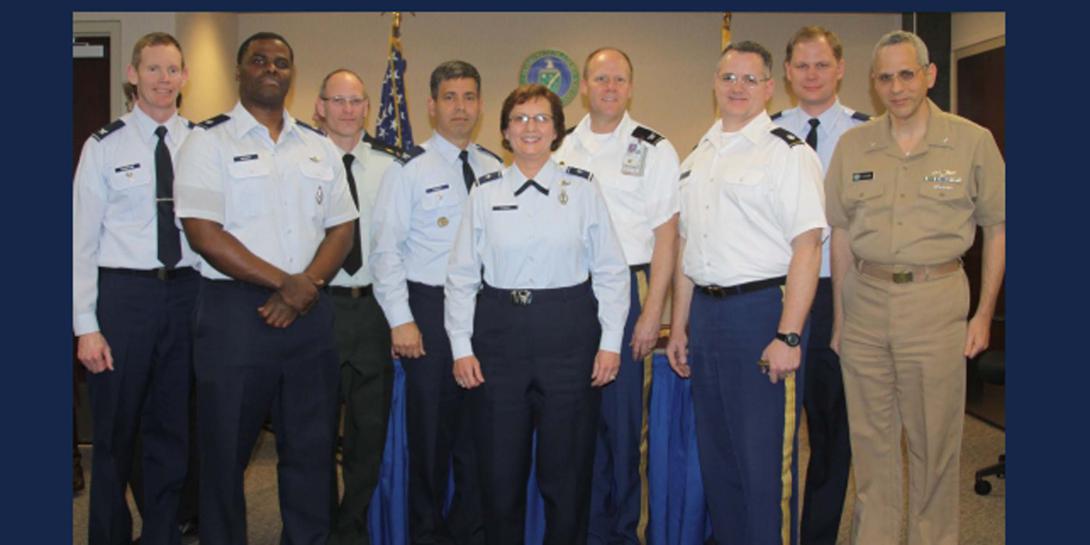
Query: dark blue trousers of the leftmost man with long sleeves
column 148, row 324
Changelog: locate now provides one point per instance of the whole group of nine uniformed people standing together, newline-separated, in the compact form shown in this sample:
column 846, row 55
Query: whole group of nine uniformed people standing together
column 286, row 265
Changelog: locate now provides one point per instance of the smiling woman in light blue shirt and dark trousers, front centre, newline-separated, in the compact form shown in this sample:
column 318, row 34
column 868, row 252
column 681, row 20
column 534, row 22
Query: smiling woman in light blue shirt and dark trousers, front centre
column 537, row 295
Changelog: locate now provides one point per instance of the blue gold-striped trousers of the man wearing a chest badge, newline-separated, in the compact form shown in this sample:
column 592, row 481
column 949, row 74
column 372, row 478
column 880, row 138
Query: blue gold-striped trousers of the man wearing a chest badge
column 615, row 492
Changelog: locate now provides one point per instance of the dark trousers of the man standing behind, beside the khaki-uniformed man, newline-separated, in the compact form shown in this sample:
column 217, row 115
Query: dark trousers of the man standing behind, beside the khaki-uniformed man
column 828, row 427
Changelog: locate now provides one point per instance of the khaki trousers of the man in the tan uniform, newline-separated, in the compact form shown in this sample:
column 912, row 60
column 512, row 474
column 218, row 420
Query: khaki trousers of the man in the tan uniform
column 904, row 368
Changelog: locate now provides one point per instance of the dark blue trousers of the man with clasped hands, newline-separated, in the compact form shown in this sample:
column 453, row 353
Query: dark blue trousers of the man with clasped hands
column 246, row 371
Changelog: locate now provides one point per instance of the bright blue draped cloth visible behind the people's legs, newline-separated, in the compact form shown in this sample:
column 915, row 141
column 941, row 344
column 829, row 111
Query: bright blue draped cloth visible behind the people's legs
column 679, row 516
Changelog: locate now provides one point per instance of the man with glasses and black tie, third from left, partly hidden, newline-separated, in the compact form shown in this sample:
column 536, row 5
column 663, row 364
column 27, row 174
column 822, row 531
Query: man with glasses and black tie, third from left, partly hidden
column 364, row 338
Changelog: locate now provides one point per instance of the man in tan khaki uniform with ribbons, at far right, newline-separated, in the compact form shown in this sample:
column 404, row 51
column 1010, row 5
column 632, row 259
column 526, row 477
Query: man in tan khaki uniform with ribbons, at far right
column 905, row 195
